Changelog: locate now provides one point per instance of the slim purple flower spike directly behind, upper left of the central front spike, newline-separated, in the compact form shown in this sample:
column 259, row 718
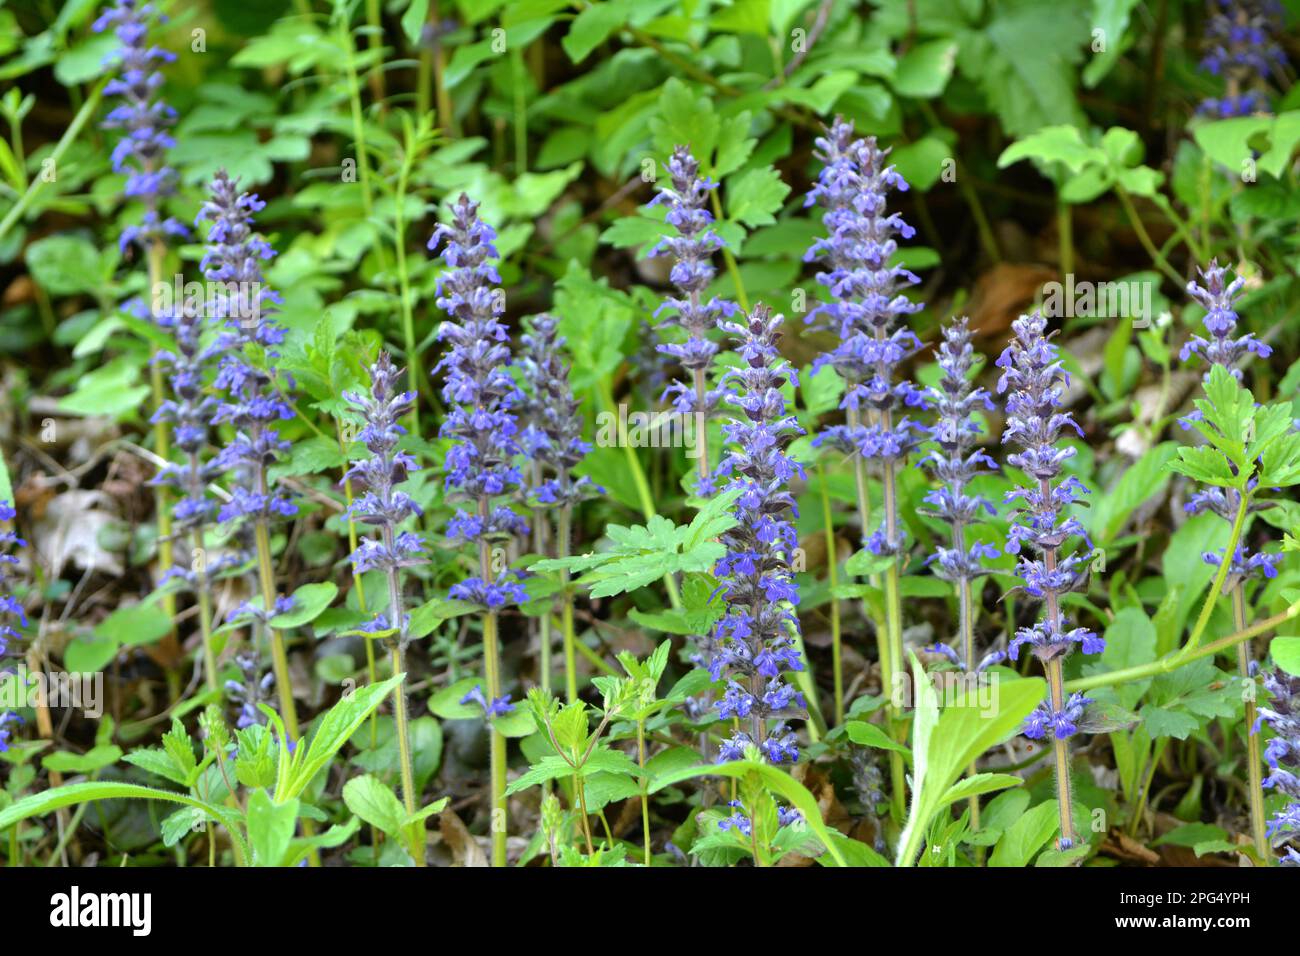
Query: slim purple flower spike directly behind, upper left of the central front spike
column 692, row 249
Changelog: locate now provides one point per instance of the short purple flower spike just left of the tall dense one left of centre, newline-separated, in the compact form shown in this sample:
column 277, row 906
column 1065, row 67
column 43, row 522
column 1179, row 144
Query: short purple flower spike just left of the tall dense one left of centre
column 382, row 505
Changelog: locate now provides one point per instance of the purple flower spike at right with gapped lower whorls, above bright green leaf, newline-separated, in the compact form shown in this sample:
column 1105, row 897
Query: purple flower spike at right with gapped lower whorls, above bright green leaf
column 1034, row 380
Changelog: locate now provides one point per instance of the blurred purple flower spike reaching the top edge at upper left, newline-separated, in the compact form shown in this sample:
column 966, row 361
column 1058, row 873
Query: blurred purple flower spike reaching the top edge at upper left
column 144, row 120
